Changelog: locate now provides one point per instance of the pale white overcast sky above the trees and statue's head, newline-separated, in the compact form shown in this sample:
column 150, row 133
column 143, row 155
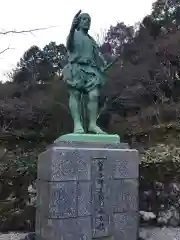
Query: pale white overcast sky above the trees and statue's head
column 58, row 14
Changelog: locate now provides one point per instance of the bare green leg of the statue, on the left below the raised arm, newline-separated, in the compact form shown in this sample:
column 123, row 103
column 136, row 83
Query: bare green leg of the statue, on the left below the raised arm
column 74, row 105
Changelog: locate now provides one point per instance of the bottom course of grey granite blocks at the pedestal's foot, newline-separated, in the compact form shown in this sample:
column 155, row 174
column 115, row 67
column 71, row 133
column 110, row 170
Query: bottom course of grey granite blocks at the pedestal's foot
column 124, row 226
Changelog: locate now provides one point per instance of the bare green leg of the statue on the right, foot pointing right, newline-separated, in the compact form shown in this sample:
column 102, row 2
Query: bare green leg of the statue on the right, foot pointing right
column 93, row 111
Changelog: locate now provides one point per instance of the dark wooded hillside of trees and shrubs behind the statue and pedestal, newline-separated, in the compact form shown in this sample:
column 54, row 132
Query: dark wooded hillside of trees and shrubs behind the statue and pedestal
column 140, row 102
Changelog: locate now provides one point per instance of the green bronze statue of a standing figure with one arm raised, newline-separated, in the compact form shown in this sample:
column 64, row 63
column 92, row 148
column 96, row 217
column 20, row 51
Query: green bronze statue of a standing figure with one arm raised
column 83, row 73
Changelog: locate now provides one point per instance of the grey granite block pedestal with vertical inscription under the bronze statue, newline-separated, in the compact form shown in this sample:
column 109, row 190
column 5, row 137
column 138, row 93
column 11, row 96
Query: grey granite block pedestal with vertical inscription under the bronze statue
column 87, row 190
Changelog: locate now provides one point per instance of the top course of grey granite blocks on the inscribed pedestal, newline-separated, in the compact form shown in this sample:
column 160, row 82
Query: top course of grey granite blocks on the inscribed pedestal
column 73, row 164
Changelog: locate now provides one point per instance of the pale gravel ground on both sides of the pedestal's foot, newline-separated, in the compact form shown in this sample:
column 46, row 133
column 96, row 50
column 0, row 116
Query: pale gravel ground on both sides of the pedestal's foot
column 145, row 233
